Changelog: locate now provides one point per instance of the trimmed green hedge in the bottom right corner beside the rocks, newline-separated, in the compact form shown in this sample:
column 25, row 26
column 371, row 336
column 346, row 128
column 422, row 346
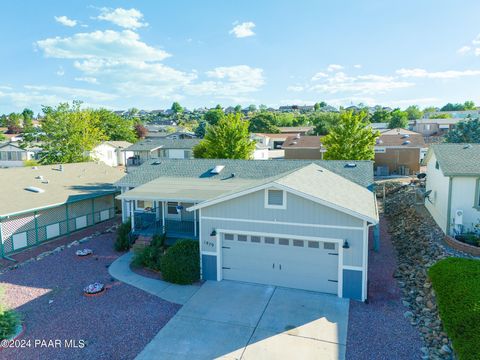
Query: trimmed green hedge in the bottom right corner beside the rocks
column 457, row 286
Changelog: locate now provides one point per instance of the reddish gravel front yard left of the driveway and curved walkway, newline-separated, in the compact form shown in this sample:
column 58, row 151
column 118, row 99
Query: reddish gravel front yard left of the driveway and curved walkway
column 115, row 325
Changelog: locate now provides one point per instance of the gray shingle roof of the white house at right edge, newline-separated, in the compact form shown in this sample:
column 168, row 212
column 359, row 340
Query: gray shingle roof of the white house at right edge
column 458, row 159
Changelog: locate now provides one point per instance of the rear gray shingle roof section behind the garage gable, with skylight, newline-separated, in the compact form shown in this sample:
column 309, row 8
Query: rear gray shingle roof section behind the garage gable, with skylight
column 361, row 174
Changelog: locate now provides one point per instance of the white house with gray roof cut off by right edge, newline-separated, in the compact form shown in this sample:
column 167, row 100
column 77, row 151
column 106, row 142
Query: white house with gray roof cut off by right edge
column 453, row 186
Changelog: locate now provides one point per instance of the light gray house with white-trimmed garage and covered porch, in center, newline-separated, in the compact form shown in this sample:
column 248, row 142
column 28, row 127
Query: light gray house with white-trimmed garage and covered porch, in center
column 292, row 223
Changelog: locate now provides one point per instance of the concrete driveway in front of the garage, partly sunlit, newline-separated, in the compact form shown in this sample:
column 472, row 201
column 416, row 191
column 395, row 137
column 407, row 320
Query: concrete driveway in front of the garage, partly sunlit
column 233, row 320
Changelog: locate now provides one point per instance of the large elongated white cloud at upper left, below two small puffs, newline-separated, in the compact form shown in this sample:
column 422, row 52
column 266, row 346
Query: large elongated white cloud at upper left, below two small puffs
column 106, row 44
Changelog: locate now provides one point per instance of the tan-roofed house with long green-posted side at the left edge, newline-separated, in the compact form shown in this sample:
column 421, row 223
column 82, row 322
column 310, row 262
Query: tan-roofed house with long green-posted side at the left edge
column 40, row 203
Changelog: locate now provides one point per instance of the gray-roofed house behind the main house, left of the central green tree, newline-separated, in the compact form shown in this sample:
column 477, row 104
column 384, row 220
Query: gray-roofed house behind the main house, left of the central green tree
column 161, row 149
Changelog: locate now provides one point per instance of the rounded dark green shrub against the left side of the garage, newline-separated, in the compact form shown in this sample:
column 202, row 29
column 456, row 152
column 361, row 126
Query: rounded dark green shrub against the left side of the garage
column 181, row 262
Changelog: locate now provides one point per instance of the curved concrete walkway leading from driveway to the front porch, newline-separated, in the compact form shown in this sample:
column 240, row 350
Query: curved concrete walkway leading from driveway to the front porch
column 179, row 294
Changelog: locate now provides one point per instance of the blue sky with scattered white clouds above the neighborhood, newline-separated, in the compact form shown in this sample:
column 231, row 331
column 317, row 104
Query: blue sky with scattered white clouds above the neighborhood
column 147, row 54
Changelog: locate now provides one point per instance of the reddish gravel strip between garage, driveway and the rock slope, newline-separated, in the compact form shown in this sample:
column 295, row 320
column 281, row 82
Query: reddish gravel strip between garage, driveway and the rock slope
column 378, row 330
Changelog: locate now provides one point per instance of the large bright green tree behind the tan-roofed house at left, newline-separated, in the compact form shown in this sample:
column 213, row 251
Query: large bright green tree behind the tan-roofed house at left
column 69, row 133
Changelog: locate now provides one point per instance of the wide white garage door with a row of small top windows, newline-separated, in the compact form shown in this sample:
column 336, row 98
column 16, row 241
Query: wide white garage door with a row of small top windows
column 301, row 264
